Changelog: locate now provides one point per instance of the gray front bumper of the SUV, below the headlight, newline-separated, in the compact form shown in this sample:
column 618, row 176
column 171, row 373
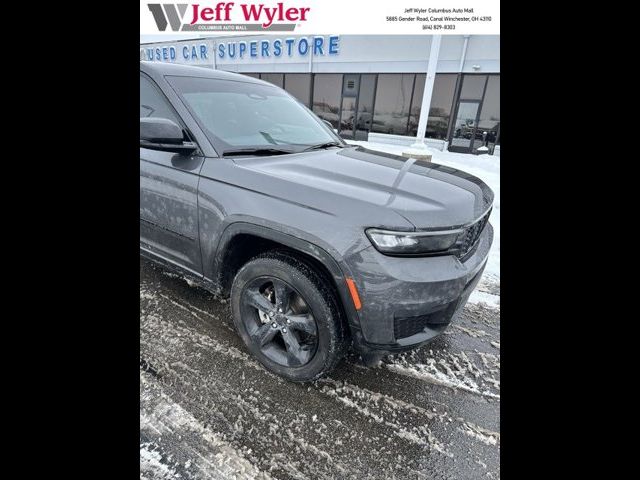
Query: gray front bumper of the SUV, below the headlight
column 409, row 301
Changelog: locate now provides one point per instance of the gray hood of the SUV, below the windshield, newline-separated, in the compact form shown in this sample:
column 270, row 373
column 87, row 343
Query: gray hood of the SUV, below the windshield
column 427, row 195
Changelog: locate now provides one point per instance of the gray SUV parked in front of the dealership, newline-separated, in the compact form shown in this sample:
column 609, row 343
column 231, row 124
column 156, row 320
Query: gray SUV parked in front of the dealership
column 321, row 246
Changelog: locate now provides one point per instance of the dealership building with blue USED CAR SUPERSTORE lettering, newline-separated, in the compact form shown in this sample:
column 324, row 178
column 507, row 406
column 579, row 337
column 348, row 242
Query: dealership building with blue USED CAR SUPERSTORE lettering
column 369, row 87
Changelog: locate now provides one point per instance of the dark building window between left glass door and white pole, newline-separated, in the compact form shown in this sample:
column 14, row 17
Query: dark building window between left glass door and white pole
column 393, row 100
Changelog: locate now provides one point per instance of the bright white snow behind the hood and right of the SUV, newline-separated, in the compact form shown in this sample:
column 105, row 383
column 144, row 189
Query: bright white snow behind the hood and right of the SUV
column 486, row 168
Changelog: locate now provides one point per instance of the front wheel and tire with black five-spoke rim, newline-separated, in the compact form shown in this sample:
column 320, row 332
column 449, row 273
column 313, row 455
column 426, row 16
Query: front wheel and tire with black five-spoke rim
column 306, row 340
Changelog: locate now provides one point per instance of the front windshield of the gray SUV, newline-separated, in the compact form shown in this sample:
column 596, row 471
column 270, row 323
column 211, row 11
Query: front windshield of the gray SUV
column 238, row 115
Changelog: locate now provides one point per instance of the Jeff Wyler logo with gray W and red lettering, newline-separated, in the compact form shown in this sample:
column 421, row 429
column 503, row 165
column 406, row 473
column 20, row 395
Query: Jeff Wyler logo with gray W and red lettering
column 227, row 16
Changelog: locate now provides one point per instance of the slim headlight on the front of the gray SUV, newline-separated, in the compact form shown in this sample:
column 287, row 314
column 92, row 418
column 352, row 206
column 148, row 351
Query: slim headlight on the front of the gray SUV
column 413, row 243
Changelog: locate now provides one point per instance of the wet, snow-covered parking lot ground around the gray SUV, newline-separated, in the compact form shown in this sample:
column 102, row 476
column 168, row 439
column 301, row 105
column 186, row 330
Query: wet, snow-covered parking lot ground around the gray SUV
column 208, row 410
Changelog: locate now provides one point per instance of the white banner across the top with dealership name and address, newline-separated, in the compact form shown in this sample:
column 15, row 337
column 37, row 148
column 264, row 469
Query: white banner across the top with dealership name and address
column 443, row 17
